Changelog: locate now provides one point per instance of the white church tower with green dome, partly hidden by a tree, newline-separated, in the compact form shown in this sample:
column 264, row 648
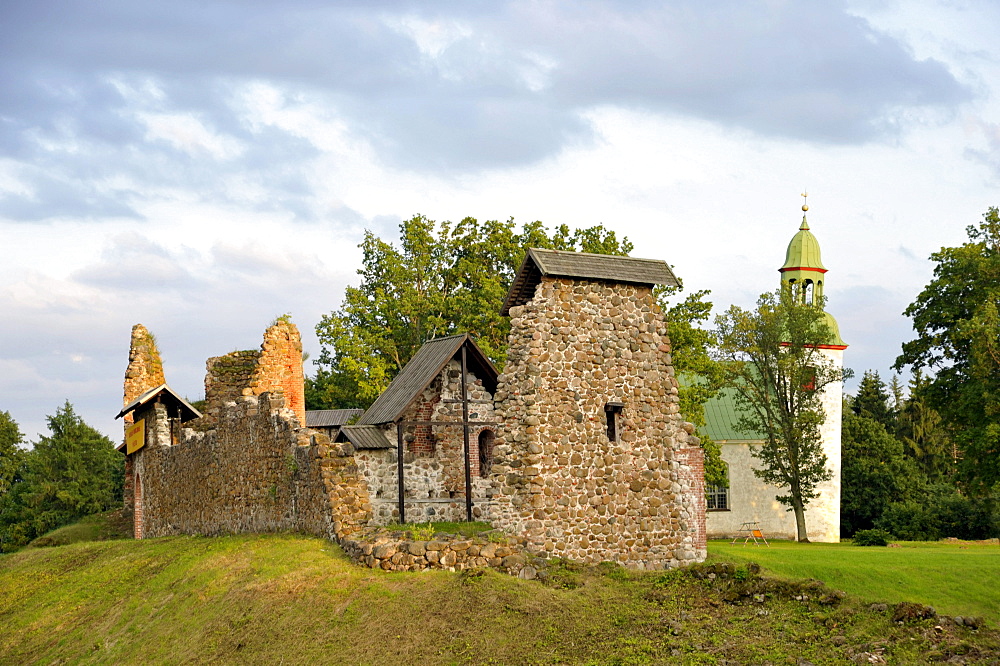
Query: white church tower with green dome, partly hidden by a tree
column 804, row 275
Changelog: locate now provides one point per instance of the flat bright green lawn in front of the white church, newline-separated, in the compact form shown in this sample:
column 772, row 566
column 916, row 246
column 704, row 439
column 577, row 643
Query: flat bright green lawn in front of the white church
column 954, row 578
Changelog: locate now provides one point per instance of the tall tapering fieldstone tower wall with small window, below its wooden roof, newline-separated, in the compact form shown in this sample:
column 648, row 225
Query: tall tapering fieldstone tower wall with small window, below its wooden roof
column 561, row 482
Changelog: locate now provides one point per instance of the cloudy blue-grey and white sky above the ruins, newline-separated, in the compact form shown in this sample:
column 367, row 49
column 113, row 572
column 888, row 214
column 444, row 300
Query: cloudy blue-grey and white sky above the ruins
column 202, row 167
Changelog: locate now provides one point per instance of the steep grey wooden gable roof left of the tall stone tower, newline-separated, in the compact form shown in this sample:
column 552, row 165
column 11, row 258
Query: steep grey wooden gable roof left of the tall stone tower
column 417, row 375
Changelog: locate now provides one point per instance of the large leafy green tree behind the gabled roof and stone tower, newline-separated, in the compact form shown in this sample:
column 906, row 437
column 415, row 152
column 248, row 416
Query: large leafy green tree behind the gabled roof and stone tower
column 445, row 278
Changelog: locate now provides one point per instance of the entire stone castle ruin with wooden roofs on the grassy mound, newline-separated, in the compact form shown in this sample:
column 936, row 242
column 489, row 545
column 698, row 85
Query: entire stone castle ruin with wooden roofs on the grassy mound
column 577, row 449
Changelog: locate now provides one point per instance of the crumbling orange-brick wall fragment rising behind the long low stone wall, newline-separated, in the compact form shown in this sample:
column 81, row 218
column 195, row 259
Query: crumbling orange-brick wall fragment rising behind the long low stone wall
column 276, row 367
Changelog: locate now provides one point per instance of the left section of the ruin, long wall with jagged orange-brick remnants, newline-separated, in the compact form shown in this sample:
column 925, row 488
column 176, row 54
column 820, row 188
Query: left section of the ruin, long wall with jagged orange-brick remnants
column 249, row 465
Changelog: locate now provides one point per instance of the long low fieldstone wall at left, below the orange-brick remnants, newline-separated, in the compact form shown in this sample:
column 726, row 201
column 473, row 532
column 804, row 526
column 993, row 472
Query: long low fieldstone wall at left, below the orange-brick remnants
column 258, row 471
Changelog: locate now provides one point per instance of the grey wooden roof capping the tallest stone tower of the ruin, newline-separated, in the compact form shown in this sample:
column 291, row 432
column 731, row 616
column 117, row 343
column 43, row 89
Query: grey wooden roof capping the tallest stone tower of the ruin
column 605, row 267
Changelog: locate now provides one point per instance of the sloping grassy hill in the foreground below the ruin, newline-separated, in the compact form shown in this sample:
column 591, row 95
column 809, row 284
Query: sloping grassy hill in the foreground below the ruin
column 292, row 599
